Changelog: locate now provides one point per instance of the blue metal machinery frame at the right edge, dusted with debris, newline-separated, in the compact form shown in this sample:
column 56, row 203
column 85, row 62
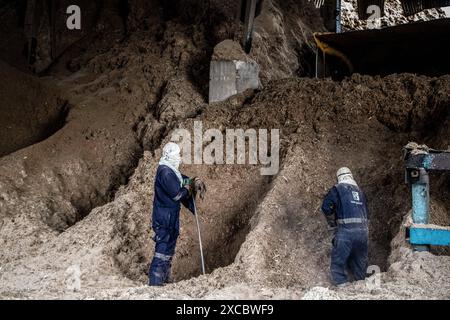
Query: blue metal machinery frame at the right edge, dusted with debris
column 420, row 160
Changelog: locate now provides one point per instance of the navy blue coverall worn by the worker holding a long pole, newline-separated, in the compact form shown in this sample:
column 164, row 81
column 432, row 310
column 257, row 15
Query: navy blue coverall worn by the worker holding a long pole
column 165, row 221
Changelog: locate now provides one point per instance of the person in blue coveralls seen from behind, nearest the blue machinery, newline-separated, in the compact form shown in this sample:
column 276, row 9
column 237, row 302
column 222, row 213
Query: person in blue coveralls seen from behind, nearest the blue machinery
column 345, row 208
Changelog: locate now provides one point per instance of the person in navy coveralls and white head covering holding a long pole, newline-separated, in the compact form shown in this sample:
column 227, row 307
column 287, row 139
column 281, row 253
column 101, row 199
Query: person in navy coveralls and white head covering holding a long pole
column 171, row 189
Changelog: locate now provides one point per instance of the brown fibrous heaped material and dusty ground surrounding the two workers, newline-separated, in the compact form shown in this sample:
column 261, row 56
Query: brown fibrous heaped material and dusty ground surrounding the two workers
column 81, row 198
